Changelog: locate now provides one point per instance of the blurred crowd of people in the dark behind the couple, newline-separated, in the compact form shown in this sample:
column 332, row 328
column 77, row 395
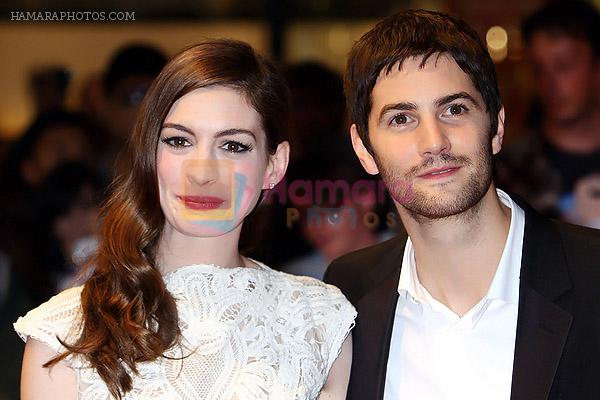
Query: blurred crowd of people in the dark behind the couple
column 55, row 175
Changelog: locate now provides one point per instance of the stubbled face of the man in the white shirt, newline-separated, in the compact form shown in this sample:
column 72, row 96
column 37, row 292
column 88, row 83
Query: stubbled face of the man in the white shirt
column 429, row 132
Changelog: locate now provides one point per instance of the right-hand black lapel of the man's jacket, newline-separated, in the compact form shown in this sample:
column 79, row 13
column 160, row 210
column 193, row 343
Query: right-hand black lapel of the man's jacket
column 542, row 326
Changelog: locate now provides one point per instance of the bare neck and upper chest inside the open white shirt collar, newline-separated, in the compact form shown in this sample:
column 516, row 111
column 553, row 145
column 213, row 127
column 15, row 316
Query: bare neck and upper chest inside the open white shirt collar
column 457, row 257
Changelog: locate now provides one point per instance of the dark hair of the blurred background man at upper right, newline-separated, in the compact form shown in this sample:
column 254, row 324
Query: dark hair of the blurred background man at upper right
column 577, row 19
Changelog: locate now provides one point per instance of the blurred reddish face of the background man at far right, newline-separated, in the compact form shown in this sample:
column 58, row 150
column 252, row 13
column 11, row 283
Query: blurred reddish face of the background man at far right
column 566, row 76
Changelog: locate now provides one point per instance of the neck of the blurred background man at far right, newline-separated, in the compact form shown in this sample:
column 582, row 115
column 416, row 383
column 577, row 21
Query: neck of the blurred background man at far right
column 579, row 136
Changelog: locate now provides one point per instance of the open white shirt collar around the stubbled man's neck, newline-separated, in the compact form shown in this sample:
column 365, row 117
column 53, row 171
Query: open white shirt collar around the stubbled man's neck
column 504, row 286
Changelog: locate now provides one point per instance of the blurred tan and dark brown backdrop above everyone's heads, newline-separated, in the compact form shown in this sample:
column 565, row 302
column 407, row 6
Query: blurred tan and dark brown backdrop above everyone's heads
column 289, row 30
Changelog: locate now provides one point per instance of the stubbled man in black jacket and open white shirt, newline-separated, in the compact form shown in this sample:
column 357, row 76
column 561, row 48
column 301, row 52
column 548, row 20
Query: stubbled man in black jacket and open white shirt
column 484, row 299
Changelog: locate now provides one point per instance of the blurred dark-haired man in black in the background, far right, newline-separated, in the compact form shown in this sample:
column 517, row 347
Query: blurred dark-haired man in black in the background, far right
column 562, row 150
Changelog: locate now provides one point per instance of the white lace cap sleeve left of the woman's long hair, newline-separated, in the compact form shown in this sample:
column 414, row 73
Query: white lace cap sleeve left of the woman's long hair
column 54, row 321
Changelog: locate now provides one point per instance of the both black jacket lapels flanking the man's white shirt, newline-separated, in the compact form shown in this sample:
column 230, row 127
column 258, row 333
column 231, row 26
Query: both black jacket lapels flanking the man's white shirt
column 542, row 326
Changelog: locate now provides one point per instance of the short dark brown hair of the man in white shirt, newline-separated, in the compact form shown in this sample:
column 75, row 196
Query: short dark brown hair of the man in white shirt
column 416, row 33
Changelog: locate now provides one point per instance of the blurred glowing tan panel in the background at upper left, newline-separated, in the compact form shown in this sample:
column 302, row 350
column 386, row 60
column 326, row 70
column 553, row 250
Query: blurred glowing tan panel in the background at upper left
column 86, row 48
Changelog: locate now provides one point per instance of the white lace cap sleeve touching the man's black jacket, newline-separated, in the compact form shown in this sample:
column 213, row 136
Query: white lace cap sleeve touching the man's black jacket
column 339, row 323
